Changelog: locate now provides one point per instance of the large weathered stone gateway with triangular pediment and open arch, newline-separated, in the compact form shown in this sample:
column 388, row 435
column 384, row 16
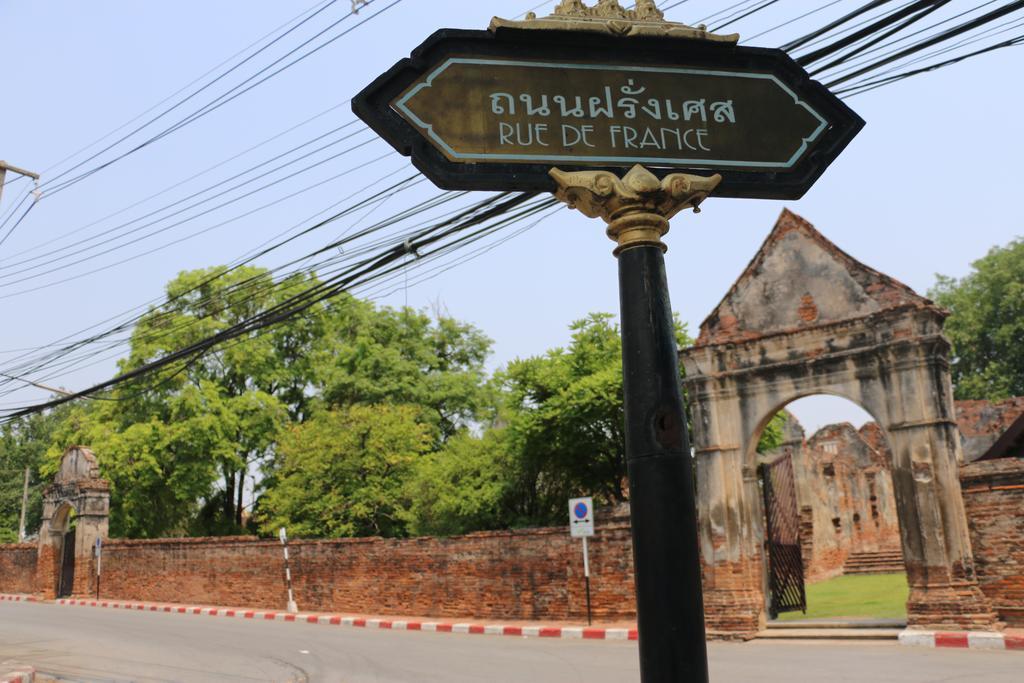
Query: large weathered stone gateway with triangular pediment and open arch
column 806, row 319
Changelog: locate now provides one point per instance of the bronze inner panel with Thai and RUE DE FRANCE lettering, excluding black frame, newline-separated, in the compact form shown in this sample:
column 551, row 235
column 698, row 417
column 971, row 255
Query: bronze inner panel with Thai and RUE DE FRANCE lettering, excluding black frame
column 477, row 110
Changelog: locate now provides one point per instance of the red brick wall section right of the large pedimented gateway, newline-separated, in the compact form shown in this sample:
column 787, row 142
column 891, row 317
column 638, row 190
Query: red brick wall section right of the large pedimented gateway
column 994, row 496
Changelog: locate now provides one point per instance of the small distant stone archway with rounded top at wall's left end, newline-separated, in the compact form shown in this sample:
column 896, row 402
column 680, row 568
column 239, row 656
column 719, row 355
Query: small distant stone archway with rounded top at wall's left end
column 77, row 488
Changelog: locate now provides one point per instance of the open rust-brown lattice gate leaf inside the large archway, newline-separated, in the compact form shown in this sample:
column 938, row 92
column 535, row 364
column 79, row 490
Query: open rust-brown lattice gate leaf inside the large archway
column 786, row 567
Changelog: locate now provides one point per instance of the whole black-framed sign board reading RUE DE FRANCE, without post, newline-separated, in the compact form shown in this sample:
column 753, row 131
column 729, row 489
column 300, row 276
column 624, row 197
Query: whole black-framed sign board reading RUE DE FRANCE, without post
column 482, row 110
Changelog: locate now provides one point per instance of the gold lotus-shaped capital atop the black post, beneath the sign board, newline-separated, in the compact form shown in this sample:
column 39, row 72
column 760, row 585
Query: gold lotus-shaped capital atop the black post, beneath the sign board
column 637, row 207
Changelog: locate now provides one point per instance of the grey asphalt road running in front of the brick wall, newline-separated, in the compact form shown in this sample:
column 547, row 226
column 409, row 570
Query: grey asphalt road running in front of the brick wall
column 93, row 645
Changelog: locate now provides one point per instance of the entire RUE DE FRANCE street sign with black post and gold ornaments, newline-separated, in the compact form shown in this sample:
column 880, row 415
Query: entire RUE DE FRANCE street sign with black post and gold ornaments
column 631, row 119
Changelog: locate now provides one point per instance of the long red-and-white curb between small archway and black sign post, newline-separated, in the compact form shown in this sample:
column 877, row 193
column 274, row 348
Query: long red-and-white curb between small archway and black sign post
column 566, row 632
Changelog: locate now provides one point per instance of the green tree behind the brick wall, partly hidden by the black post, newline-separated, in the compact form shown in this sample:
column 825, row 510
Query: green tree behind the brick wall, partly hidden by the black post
column 558, row 433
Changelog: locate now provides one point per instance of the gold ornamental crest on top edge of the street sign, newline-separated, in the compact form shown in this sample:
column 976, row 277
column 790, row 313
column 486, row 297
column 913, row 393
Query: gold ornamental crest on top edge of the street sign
column 611, row 18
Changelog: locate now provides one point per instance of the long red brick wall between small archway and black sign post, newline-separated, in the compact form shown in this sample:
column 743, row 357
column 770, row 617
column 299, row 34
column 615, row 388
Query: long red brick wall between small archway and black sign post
column 523, row 575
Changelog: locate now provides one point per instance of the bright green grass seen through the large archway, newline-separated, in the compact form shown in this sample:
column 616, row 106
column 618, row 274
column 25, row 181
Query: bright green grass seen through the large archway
column 882, row 596
